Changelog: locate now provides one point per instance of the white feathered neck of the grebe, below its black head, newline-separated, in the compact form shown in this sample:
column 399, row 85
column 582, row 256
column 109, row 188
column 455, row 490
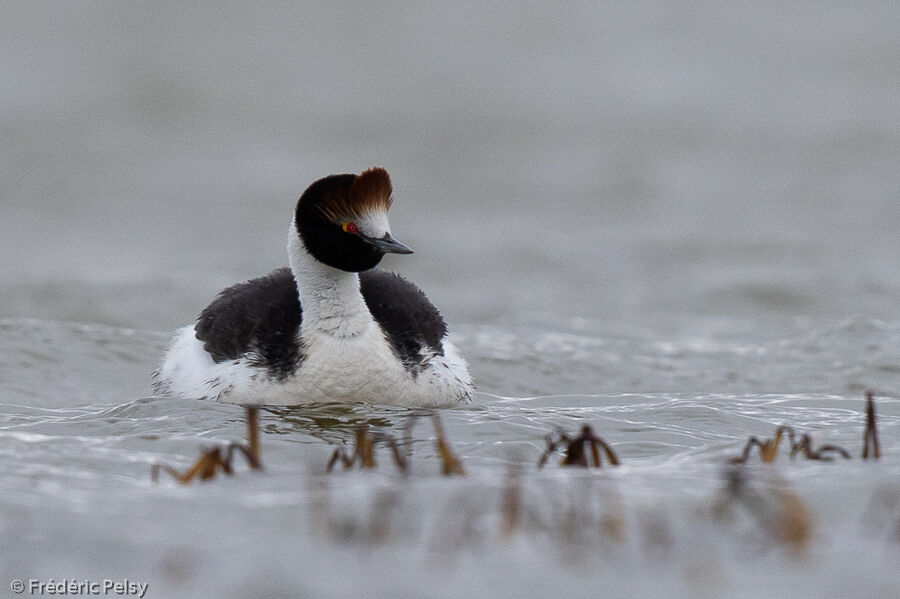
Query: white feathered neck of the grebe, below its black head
column 330, row 297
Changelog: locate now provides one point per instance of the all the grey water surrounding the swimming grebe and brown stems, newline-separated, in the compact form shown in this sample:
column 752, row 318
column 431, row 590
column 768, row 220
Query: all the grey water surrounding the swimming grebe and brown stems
column 675, row 223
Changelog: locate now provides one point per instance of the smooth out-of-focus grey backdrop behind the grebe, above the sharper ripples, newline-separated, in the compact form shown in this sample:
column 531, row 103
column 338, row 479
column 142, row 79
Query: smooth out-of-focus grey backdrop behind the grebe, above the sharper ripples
column 595, row 164
